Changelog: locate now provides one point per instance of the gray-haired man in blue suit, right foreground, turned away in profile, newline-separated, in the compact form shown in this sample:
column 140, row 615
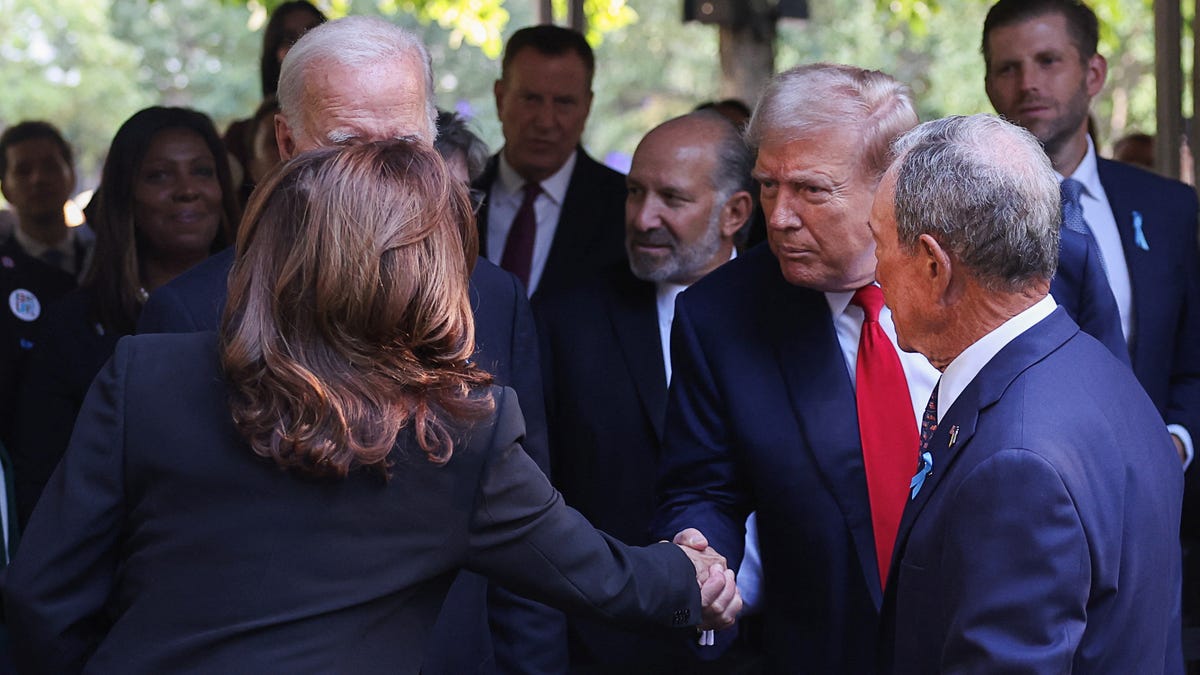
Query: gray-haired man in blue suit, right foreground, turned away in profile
column 1041, row 529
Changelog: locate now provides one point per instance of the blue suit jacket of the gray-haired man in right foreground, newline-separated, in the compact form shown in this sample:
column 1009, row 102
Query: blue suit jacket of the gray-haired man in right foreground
column 1045, row 540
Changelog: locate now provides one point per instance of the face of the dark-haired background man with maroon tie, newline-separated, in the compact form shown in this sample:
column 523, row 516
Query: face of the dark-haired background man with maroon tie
column 543, row 104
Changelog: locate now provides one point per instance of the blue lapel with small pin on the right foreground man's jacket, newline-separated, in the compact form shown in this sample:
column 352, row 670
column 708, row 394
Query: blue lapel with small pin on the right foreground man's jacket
column 982, row 393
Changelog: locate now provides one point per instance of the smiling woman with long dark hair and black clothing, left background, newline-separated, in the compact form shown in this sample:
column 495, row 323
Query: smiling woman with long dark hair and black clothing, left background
column 165, row 204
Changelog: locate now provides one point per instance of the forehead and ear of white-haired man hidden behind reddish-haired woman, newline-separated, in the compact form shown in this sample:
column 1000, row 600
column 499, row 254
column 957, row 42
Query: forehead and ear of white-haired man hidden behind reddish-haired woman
column 345, row 106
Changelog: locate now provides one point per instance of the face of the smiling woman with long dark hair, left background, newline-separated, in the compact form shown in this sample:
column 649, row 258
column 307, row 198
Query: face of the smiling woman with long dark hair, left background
column 177, row 204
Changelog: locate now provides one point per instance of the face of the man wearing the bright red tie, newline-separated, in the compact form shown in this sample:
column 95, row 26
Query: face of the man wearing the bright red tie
column 818, row 200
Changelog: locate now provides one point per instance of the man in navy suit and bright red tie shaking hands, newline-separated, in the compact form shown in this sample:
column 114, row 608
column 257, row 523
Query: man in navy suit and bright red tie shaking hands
column 789, row 396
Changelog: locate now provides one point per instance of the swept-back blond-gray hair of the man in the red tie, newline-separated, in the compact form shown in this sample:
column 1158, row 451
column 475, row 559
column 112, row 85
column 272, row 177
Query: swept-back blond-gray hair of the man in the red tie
column 805, row 101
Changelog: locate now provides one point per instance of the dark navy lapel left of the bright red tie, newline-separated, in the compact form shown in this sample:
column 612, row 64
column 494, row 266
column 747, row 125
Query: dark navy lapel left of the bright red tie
column 821, row 396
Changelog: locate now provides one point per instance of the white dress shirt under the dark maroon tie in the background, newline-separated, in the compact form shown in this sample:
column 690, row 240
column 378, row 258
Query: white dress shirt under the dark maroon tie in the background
column 505, row 201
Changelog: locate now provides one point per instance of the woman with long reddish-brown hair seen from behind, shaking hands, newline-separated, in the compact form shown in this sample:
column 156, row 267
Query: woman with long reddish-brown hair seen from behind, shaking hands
column 296, row 494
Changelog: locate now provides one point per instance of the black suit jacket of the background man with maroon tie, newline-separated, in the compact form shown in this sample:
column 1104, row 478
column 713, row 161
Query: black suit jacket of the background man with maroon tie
column 591, row 234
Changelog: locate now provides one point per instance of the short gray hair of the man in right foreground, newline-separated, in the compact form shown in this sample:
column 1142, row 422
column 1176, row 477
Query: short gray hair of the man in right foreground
column 986, row 190
